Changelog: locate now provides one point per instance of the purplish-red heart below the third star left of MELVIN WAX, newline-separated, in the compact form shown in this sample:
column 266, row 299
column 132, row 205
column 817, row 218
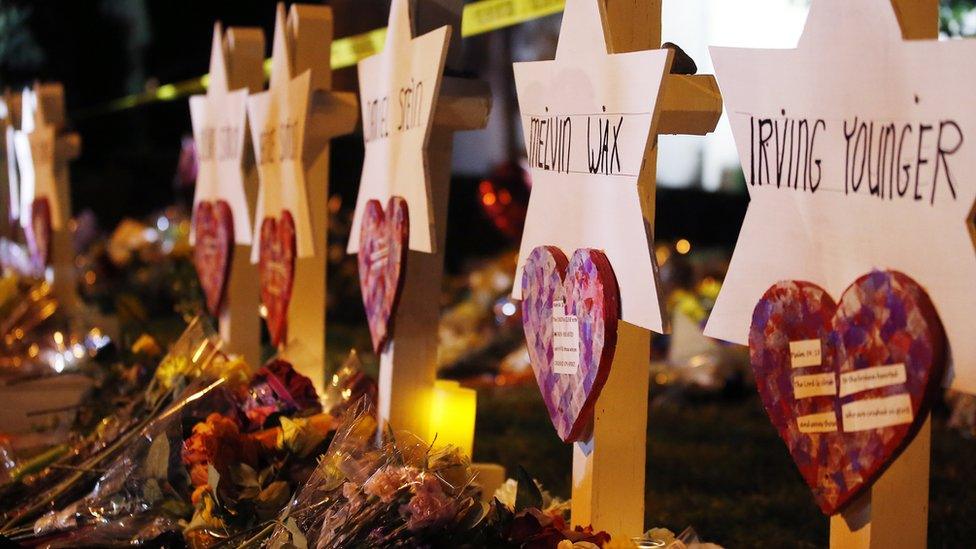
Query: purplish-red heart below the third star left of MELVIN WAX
column 213, row 227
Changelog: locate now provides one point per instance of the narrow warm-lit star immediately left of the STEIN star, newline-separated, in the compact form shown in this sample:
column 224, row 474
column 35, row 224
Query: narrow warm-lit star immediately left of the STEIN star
column 278, row 129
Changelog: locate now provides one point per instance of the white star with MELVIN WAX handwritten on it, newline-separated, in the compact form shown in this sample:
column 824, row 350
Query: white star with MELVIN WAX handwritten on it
column 585, row 195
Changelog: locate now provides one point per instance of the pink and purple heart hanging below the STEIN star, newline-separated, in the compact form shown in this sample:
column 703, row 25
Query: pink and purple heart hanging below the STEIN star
column 383, row 241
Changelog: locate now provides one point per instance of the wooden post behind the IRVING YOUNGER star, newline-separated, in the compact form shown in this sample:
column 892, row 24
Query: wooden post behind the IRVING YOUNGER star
column 894, row 511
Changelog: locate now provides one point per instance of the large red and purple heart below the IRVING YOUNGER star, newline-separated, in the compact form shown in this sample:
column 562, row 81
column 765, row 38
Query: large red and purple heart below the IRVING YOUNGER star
column 847, row 385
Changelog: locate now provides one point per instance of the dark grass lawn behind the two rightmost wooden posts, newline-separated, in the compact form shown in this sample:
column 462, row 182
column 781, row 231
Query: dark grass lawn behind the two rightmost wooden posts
column 717, row 464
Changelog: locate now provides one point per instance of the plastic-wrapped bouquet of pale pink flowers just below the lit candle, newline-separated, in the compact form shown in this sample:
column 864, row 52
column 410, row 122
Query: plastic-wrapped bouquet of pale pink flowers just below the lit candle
column 369, row 493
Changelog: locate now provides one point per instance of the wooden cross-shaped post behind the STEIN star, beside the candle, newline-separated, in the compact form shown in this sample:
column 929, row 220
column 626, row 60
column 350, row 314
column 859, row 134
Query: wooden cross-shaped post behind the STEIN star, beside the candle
column 408, row 365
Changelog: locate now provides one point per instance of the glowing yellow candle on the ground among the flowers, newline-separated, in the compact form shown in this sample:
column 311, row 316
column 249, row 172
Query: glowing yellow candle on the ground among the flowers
column 452, row 414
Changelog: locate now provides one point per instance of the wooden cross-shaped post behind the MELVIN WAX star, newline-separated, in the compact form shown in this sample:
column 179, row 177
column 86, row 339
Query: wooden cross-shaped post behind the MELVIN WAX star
column 609, row 467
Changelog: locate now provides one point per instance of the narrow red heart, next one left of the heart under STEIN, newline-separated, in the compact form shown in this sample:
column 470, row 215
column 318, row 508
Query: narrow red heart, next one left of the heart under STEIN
column 276, row 270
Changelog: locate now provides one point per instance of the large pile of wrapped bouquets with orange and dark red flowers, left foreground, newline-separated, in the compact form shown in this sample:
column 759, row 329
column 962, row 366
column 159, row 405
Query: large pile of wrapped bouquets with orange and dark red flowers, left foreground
column 221, row 459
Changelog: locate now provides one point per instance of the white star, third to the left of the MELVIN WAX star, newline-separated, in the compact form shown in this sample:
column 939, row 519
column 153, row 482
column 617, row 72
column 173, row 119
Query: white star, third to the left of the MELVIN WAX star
column 219, row 125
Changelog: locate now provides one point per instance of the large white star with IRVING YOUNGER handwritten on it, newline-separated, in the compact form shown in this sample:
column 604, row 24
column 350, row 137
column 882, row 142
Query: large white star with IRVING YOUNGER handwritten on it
column 910, row 210
